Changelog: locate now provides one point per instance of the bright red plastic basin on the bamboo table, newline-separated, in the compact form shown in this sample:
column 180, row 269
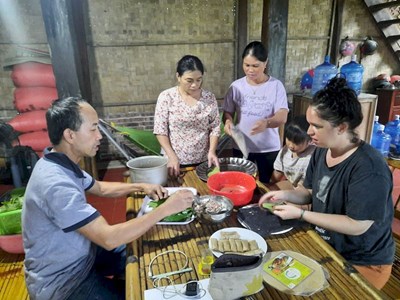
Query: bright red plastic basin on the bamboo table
column 237, row 186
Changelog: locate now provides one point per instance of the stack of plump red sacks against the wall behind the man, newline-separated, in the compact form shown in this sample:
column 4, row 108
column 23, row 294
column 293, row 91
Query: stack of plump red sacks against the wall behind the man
column 35, row 90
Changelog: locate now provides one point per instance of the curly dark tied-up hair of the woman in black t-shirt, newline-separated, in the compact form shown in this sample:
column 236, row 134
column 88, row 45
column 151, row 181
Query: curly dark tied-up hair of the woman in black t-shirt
column 337, row 103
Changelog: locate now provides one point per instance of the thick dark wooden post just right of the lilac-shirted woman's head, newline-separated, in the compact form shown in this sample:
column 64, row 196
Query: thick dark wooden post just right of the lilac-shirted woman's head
column 274, row 35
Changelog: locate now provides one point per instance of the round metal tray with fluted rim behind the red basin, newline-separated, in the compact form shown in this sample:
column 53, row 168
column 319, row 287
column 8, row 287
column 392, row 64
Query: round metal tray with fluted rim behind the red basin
column 228, row 164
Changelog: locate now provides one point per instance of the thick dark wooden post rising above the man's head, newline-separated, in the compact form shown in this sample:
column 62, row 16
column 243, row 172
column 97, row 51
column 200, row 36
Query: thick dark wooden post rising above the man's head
column 64, row 23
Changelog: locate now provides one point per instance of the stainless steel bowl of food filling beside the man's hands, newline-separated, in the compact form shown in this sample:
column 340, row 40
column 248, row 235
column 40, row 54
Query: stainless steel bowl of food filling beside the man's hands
column 212, row 208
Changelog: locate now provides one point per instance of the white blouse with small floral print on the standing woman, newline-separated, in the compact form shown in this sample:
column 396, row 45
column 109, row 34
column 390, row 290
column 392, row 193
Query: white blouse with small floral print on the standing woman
column 188, row 127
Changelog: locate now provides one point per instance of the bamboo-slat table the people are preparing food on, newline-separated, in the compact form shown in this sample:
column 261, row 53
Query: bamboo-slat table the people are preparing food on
column 344, row 281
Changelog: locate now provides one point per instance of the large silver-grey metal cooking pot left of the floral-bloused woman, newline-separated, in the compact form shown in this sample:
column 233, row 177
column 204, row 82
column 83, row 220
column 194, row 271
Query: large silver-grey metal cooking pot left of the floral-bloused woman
column 148, row 169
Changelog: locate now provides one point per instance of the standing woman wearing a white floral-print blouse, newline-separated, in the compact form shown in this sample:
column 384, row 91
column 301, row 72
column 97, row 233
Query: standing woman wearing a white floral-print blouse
column 186, row 121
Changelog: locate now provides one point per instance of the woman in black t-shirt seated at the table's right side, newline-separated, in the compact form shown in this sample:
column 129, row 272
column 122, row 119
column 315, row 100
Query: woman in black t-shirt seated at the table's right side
column 348, row 184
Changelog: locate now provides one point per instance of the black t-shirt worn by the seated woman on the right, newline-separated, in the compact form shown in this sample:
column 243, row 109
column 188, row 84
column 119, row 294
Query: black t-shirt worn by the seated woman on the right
column 361, row 188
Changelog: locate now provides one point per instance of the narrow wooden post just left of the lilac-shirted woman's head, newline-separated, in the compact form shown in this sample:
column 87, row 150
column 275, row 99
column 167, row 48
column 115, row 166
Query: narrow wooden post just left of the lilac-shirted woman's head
column 241, row 35
